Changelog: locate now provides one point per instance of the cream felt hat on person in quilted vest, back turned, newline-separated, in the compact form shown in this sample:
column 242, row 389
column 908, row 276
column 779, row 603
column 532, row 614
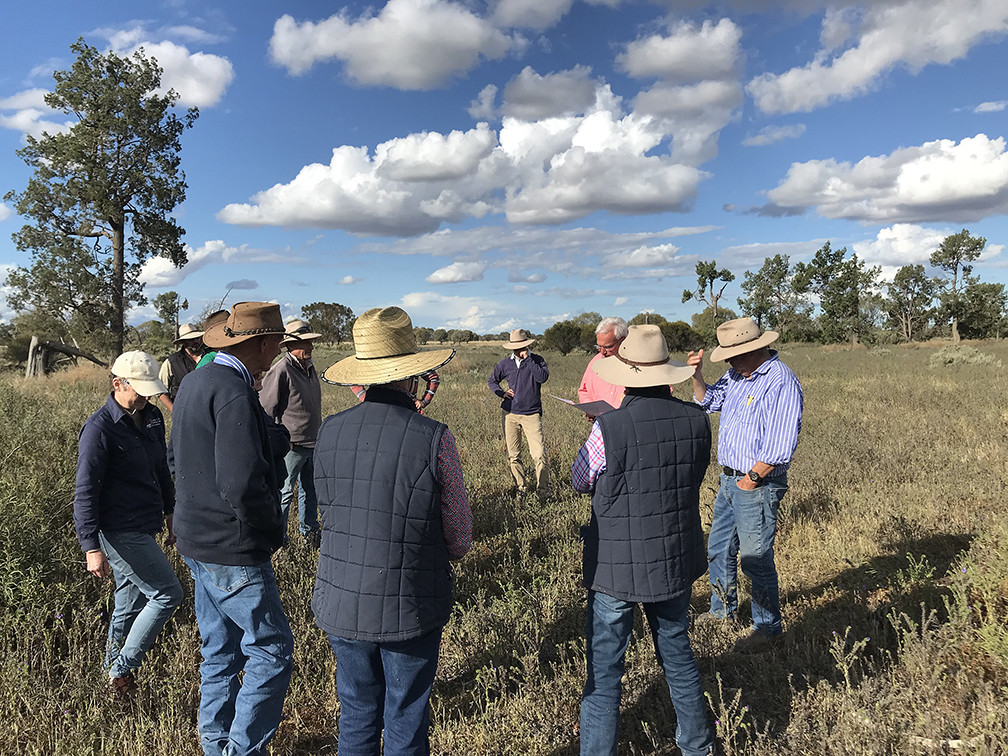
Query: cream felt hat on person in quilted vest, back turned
column 643, row 361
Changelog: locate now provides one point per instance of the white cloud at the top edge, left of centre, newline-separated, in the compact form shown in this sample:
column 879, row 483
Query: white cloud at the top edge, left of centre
column 411, row 45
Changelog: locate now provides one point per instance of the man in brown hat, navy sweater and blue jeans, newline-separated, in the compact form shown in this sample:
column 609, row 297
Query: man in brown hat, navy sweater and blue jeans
column 228, row 525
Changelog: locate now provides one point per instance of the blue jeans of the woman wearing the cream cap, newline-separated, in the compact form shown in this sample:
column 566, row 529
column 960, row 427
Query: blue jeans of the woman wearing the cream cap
column 148, row 592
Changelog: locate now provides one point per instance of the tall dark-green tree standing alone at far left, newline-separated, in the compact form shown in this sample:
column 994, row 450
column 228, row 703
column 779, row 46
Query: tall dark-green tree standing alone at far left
column 111, row 182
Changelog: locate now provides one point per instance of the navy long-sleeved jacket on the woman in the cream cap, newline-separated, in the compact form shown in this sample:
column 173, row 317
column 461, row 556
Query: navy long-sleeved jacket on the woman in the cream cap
column 123, row 484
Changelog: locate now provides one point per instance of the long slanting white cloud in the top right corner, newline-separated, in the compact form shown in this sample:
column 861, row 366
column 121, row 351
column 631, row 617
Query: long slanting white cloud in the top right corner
column 912, row 35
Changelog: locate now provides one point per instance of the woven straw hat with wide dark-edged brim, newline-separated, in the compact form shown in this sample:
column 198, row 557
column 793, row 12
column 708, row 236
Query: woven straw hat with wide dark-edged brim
column 386, row 351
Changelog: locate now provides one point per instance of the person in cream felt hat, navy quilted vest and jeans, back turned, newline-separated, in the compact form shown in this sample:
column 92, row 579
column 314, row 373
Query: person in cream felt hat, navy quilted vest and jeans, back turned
column 644, row 465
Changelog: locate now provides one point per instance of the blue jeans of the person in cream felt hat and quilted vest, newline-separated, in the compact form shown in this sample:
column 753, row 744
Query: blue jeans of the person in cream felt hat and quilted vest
column 609, row 624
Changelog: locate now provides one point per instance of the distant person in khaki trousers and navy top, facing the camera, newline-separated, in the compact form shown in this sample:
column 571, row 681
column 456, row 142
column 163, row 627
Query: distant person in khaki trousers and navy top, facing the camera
column 522, row 407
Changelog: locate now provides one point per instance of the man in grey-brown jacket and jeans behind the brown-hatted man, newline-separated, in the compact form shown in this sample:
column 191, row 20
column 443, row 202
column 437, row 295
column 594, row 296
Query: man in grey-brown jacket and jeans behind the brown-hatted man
column 292, row 396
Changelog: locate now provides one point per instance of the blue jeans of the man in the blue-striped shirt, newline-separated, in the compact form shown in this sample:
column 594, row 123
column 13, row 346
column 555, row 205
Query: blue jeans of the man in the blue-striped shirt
column 743, row 531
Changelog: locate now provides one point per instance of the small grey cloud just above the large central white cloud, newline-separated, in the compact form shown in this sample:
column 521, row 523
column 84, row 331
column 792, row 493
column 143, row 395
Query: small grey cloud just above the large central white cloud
column 531, row 97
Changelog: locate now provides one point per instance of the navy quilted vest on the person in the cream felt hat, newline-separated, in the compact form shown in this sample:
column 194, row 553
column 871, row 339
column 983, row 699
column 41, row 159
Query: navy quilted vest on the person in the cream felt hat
column 645, row 542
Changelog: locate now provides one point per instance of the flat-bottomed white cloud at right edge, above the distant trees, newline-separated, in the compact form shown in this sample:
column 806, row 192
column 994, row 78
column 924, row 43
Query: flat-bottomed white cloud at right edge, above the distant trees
column 940, row 181
